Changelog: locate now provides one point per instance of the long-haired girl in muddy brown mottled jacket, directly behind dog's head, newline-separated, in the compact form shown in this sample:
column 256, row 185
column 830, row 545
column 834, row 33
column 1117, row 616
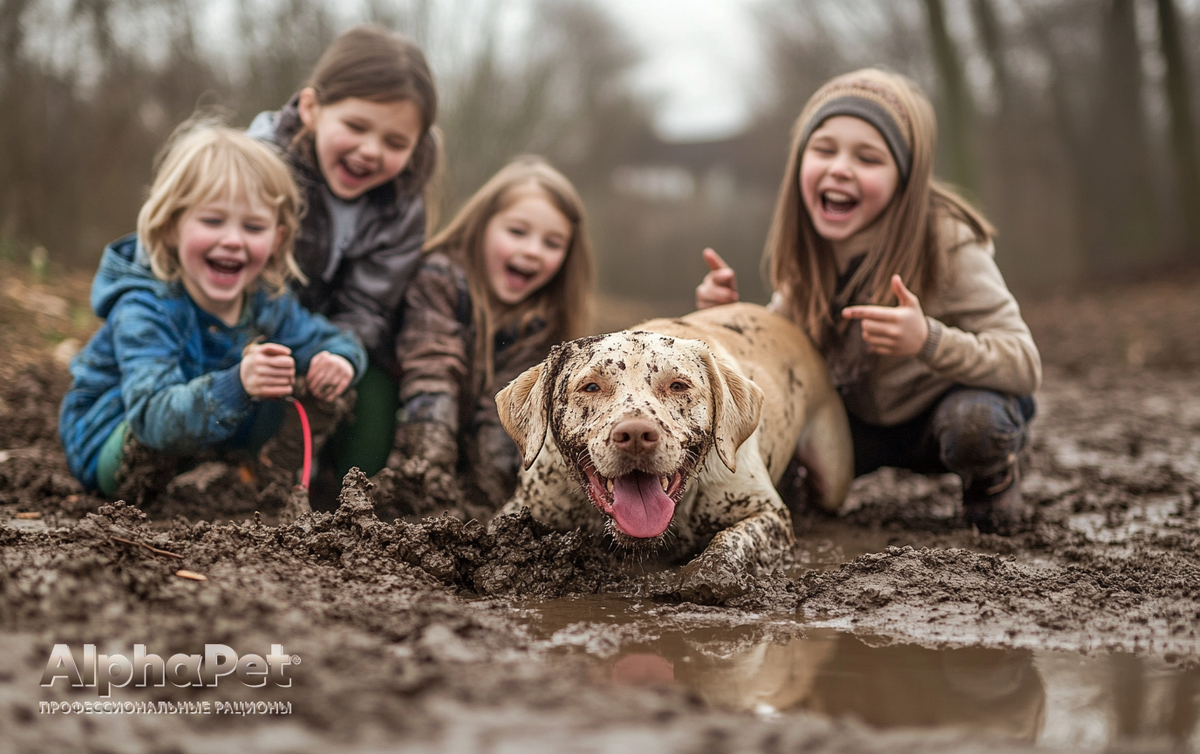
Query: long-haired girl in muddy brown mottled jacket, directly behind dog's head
column 509, row 278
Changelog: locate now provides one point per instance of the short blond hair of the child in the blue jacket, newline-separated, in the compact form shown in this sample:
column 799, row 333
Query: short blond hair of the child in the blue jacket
column 202, row 161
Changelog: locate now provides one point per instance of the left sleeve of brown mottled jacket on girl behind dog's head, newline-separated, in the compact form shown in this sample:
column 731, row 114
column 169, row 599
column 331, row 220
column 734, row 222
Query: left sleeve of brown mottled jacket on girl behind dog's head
column 435, row 344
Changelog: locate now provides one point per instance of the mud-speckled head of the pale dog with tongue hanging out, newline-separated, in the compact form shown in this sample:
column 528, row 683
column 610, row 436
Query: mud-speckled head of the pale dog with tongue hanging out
column 634, row 415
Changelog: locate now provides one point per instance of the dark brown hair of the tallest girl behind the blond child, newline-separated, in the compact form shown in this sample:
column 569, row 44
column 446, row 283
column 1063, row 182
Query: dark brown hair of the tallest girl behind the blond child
column 374, row 64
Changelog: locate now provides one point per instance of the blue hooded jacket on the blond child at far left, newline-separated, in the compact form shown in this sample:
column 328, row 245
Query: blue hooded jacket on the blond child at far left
column 171, row 369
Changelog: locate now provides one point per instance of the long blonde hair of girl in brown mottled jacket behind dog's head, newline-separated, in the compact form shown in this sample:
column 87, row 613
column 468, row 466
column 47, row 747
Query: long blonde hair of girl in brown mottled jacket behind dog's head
column 566, row 302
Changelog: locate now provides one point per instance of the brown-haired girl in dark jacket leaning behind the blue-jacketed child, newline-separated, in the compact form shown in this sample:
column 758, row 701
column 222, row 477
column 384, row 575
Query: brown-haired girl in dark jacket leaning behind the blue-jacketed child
column 359, row 139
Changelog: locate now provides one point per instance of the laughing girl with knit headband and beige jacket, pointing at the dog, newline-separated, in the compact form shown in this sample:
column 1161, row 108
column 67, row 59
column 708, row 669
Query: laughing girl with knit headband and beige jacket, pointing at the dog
column 892, row 277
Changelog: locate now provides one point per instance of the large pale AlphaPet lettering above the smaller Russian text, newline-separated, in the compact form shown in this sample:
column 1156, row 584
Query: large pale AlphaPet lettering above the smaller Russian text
column 104, row 672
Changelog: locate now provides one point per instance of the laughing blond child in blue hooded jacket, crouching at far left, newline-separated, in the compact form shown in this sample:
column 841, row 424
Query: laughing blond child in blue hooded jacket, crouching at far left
column 200, row 326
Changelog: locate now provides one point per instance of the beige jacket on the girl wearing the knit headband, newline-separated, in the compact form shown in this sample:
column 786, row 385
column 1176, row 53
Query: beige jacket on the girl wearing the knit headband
column 976, row 338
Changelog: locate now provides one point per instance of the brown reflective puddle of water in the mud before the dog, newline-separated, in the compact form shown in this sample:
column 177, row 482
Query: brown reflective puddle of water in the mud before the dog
column 775, row 667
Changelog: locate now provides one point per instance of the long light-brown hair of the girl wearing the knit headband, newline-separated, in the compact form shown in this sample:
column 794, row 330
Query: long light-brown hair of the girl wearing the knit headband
column 801, row 264
